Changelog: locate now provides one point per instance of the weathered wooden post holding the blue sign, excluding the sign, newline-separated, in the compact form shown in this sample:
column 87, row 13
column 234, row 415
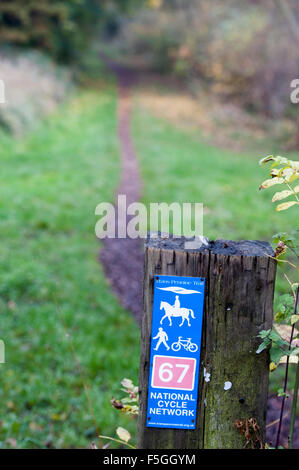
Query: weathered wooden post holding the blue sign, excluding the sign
column 238, row 304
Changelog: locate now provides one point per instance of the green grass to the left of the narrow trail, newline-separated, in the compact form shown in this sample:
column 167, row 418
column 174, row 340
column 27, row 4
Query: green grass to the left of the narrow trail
column 51, row 183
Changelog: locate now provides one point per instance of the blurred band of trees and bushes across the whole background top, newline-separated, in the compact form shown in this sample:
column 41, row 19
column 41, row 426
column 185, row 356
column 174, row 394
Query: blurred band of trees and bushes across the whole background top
column 242, row 52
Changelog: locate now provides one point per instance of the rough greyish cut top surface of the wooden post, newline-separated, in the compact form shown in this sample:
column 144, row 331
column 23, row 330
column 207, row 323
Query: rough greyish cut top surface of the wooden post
column 217, row 247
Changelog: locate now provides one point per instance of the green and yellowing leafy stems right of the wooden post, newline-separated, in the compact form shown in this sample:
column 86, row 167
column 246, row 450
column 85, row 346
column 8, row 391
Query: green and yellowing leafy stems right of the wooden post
column 284, row 171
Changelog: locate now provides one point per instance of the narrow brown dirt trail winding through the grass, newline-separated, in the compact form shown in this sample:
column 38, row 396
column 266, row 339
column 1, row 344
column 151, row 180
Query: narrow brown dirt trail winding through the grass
column 122, row 258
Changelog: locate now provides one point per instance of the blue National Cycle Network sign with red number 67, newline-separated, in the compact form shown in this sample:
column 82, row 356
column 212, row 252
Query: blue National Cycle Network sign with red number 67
column 175, row 352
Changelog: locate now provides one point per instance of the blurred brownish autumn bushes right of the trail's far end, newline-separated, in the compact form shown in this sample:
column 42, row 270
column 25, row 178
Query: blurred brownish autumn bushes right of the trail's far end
column 243, row 50
